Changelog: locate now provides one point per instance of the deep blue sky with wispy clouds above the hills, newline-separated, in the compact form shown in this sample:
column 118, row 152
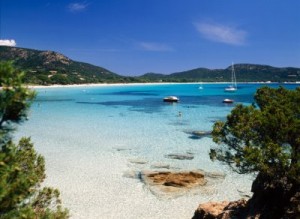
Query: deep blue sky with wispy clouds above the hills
column 133, row 37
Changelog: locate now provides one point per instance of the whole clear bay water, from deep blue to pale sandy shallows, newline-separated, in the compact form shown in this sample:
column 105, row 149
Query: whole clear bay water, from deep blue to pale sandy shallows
column 96, row 139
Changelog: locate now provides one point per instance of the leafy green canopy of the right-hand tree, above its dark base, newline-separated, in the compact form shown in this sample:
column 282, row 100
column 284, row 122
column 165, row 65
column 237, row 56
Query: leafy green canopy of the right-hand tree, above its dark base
column 263, row 137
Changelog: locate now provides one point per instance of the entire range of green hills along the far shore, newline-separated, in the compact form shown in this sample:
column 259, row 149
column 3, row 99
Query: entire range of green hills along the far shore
column 48, row 67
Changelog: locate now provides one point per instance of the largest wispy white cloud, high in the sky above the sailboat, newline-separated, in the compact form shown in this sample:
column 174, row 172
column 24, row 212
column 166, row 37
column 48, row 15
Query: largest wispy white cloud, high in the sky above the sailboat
column 221, row 33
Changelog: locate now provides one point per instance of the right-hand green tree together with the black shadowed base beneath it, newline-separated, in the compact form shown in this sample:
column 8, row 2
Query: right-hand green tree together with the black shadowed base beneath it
column 264, row 138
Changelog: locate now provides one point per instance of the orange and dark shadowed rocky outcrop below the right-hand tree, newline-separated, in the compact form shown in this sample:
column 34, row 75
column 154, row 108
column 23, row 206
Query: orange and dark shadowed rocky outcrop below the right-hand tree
column 277, row 199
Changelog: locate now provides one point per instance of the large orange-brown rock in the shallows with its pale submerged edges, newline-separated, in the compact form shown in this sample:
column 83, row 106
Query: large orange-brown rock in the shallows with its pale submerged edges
column 174, row 183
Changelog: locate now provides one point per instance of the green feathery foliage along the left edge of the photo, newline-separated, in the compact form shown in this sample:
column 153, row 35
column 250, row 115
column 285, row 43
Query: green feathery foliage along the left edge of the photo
column 22, row 170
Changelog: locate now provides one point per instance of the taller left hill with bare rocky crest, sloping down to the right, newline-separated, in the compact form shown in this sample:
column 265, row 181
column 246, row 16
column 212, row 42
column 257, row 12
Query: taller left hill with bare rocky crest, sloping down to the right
column 48, row 67
